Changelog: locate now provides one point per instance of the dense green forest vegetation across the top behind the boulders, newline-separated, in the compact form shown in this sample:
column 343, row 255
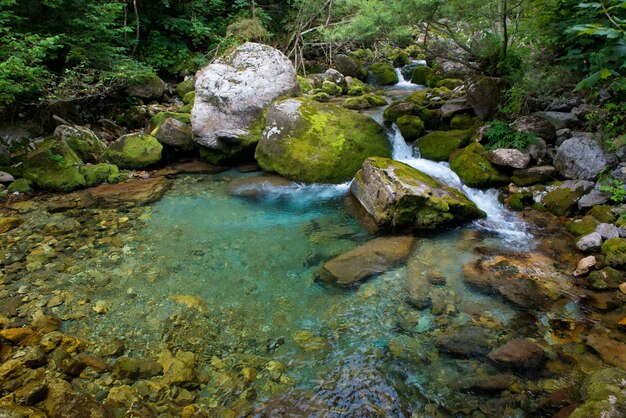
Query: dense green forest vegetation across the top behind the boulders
column 59, row 50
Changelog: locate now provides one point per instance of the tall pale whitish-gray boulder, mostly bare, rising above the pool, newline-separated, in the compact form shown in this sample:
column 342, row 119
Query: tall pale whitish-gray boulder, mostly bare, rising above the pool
column 231, row 94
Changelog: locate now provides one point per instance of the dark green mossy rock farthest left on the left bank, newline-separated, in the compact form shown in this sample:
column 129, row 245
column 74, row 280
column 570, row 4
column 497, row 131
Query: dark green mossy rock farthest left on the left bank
column 53, row 165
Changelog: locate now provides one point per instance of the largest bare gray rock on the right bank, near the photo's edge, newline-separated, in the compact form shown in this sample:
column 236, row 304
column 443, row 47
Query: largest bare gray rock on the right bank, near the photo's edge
column 582, row 157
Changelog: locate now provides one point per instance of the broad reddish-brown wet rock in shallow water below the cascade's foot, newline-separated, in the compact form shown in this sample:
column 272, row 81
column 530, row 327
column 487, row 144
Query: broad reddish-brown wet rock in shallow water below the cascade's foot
column 527, row 280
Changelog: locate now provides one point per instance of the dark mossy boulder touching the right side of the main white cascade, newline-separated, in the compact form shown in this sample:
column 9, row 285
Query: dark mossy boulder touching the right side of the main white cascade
column 472, row 166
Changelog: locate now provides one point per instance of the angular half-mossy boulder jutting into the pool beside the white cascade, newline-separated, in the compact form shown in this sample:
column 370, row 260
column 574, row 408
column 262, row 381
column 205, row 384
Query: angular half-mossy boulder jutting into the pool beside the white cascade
column 400, row 196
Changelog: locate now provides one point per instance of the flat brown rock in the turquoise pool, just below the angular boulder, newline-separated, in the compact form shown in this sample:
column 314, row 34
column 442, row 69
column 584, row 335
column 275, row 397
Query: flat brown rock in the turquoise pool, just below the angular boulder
column 372, row 258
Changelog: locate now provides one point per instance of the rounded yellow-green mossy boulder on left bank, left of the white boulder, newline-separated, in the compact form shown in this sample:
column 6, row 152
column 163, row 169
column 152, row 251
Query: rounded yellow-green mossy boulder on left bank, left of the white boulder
column 134, row 151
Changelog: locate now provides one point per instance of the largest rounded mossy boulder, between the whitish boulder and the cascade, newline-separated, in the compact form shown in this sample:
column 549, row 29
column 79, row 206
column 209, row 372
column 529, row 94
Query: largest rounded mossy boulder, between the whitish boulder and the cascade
column 318, row 142
